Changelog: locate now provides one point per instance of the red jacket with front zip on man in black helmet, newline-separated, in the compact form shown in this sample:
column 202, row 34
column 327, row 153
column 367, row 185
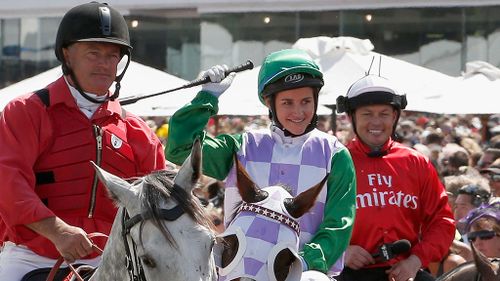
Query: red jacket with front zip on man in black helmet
column 45, row 168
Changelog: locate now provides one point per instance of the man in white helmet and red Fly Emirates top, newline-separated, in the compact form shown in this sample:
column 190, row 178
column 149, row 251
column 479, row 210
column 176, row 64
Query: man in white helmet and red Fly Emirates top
column 399, row 195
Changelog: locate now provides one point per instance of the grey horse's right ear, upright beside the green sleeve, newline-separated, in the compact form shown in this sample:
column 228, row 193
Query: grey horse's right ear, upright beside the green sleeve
column 190, row 171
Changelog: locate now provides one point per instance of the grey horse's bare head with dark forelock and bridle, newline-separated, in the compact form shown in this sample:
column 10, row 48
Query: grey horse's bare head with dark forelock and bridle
column 161, row 227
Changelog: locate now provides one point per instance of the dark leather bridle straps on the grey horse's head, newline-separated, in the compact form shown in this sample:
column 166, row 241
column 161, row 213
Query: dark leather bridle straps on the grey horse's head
column 132, row 261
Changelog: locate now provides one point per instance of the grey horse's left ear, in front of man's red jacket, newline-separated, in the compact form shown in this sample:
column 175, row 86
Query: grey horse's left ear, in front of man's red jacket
column 118, row 189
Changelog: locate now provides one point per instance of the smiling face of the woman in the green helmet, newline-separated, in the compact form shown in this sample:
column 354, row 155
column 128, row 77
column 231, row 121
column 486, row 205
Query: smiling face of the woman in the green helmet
column 295, row 109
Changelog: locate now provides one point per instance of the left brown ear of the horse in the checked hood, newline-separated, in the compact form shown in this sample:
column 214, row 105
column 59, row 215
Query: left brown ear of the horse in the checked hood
column 249, row 191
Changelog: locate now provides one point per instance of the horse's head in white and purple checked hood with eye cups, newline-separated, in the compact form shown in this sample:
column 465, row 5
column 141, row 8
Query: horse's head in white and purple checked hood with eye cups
column 261, row 242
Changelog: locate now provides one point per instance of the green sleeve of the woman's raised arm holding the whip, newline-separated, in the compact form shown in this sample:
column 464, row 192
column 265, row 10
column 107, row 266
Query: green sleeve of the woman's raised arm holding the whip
column 187, row 124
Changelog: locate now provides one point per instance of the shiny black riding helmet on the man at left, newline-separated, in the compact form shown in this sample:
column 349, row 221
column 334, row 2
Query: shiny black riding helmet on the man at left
column 92, row 22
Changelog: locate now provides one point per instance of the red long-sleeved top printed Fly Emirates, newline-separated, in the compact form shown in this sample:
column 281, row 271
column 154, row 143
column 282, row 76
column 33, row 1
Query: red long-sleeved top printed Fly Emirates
column 399, row 196
